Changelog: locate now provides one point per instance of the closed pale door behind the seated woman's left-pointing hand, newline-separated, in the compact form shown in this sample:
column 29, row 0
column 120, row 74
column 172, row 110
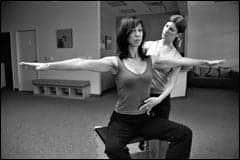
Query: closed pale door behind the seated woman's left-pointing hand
column 27, row 52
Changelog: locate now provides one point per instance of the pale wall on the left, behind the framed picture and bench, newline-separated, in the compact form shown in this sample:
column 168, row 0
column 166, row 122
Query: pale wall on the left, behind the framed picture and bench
column 46, row 17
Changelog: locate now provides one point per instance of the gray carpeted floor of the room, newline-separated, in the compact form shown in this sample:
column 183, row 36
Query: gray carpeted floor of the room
column 45, row 127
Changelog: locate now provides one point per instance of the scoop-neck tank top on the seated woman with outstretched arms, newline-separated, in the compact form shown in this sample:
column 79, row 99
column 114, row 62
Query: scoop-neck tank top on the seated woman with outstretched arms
column 132, row 88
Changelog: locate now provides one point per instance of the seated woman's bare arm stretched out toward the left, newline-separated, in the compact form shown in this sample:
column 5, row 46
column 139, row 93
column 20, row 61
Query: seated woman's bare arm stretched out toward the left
column 98, row 65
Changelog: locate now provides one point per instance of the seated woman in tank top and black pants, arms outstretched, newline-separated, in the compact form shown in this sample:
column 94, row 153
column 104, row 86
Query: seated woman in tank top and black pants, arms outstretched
column 133, row 77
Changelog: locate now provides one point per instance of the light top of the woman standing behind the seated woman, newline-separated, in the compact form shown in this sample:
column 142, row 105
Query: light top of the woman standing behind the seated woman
column 160, row 75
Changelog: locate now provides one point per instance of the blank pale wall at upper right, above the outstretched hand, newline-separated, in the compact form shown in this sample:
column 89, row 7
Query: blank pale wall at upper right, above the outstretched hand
column 213, row 31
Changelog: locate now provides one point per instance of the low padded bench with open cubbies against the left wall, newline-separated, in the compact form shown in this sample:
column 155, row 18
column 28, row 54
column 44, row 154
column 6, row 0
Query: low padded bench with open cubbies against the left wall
column 62, row 88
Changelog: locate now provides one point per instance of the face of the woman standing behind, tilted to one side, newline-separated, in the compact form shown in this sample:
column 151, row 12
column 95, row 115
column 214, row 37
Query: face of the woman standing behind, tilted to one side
column 169, row 31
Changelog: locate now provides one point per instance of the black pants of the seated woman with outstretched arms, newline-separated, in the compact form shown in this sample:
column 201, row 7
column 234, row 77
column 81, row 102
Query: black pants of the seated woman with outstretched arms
column 122, row 128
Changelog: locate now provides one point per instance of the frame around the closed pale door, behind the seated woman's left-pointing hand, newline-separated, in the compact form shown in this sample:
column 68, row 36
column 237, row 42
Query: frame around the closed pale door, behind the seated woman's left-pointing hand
column 18, row 54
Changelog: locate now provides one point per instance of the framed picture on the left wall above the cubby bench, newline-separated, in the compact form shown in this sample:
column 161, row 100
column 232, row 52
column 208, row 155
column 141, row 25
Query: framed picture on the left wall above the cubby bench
column 64, row 38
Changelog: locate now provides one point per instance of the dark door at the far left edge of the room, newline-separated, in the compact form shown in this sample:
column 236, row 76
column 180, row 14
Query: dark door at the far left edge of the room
column 6, row 62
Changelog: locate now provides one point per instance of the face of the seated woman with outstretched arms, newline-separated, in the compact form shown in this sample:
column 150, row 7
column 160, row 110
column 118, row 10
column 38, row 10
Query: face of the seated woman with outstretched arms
column 135, row 37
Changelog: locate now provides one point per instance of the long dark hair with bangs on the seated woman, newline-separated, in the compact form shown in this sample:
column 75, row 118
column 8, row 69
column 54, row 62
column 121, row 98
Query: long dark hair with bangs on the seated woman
column 125, row 29
